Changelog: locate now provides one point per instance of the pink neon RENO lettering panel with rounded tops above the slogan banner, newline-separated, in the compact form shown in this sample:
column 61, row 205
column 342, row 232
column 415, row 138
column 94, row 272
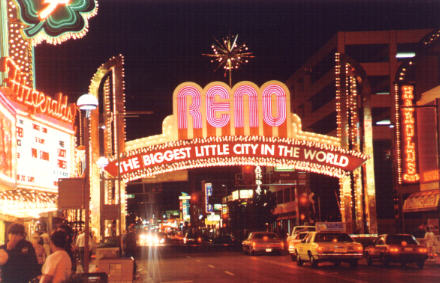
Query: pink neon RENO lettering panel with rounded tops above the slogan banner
column 245, row 109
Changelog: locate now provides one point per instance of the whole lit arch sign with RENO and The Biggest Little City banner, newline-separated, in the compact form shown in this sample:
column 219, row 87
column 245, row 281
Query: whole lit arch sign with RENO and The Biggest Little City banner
column 245, row 125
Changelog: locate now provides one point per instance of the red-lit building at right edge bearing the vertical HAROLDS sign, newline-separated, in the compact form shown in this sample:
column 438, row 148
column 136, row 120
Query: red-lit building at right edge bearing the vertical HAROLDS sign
column 418, row 78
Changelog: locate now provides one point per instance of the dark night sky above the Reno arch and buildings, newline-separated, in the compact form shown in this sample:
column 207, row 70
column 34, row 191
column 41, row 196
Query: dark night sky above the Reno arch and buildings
column 162, row 41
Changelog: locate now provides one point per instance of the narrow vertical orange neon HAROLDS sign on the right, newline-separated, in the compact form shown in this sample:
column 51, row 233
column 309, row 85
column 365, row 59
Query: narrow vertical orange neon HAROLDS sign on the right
column 408, row 128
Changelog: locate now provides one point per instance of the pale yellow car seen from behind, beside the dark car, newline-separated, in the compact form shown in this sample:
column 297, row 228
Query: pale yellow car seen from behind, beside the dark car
column 331, row 246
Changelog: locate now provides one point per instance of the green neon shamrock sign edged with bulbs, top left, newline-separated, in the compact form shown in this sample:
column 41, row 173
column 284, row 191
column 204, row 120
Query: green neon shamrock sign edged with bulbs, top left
column 55, row 21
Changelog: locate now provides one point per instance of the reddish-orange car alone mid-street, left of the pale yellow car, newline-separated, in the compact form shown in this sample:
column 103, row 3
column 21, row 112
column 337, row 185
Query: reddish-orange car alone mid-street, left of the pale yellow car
column 263, row 242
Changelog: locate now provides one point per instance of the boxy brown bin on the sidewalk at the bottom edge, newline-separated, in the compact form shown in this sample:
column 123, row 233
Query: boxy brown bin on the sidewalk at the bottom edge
column 117, row 269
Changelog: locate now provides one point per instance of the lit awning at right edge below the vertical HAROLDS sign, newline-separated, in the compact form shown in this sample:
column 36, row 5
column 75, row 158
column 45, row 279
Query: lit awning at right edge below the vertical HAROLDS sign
column 422, row 201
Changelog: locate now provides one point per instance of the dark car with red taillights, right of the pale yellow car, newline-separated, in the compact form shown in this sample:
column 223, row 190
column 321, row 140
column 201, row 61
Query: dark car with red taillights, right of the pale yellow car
column 402, row 248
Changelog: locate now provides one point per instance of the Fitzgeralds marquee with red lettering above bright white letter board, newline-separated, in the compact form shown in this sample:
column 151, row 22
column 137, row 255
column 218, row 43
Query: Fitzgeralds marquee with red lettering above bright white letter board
column 38, row 147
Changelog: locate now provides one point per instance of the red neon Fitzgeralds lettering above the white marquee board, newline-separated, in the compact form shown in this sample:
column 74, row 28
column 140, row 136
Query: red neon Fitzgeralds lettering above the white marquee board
column 38, row 101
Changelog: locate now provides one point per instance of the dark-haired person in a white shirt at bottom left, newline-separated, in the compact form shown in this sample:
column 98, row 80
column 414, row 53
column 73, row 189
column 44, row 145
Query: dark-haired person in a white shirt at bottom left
column 58, row 266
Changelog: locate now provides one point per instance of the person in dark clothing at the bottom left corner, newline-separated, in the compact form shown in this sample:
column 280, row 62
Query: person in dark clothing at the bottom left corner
column 18, row 257
